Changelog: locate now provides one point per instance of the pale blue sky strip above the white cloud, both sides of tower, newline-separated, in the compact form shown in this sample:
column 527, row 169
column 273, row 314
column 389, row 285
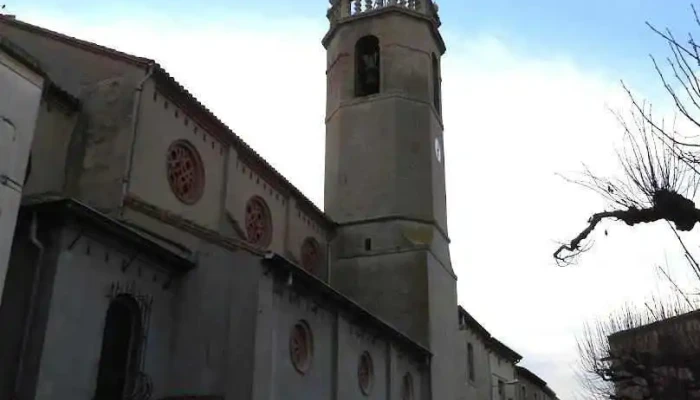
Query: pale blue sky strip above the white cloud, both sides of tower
column 606, row 34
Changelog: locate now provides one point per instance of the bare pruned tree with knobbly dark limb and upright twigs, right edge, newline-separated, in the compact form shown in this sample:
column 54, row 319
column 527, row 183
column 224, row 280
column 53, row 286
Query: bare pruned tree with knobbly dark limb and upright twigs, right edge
column 660, row 160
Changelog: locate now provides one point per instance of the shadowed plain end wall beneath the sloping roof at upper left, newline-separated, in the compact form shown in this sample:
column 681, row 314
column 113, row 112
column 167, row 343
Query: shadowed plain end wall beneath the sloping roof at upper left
column 99, row 149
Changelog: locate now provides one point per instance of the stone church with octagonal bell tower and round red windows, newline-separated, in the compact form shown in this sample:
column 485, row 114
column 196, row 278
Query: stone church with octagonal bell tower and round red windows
column 155, row 255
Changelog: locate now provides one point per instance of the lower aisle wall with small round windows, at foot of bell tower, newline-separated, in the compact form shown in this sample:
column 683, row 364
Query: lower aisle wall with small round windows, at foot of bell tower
column 313, row 344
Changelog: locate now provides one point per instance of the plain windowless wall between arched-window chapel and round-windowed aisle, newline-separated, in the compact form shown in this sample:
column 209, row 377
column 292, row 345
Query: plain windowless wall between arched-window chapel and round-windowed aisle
column 215, row 314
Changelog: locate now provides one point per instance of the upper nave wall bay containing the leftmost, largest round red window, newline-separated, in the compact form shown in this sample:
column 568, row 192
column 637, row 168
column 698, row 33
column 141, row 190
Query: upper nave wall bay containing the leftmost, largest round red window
column 178, row 165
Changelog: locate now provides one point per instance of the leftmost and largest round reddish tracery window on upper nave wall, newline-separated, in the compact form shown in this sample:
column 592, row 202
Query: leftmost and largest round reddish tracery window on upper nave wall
column 185, row 172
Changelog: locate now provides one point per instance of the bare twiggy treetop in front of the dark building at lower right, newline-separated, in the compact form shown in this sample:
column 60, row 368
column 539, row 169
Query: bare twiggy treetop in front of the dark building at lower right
column 643, row 353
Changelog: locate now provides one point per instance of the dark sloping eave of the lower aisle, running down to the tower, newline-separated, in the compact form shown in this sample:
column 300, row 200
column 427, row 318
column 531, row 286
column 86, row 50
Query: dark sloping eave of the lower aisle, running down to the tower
column 300, row 276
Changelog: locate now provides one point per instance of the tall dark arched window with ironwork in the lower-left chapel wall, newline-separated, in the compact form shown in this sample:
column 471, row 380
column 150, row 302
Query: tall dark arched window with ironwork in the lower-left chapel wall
column 119, row 358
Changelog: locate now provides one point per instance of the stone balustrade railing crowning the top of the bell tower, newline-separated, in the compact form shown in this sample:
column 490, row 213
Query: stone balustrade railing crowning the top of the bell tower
column 341, row 9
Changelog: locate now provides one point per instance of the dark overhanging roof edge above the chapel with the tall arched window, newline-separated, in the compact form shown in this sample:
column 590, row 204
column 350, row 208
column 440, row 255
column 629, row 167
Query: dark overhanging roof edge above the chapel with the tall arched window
column 61, row 209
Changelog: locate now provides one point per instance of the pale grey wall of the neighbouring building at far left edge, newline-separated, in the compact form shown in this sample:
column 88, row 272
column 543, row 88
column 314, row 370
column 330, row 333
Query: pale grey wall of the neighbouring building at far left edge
column 19, row 108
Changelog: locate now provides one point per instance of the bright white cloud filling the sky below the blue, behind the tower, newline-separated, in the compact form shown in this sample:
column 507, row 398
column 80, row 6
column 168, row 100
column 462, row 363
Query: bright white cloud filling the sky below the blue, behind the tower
column 512, row 122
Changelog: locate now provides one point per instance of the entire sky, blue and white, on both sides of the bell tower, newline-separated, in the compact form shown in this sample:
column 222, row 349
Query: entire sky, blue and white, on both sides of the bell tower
column 527, row 92
